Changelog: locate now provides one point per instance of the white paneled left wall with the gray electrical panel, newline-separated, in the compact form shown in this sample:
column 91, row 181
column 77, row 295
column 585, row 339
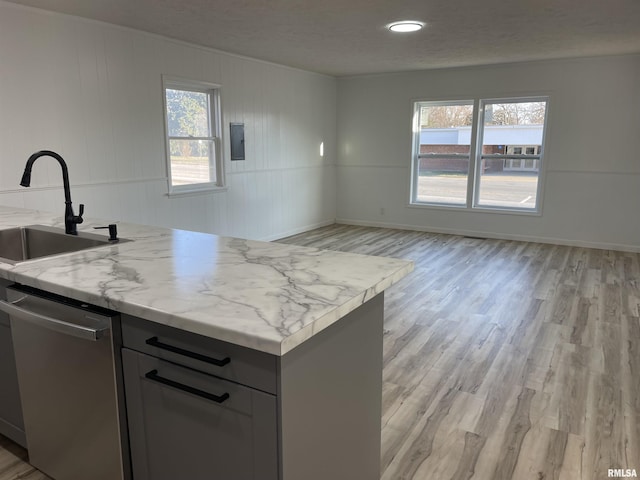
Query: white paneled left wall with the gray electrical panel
column 93, row 93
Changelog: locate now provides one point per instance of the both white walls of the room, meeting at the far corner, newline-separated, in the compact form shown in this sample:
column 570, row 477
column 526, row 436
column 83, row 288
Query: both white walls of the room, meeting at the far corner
column 92, row 92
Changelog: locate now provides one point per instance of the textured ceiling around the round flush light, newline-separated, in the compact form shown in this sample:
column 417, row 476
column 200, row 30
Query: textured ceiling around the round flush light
column 348, row 37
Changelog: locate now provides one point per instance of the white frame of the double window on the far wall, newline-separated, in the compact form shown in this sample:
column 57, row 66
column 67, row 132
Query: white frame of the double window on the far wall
column 476, row 156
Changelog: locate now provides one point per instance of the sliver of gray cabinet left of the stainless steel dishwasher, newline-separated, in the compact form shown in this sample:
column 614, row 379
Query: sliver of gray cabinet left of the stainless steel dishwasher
column 11, row 422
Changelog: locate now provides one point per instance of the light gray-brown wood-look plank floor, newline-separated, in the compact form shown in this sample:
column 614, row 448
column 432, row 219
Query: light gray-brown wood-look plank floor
column 502, row 360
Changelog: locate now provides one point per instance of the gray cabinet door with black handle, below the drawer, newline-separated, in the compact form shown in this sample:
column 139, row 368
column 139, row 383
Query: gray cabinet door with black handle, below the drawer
column 178, row 429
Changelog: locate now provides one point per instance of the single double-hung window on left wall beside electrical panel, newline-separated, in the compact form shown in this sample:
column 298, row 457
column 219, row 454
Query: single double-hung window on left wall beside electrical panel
column 192, row 126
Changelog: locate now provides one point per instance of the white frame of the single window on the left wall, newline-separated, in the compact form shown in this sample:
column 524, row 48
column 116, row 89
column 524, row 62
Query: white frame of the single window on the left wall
column 215, row 135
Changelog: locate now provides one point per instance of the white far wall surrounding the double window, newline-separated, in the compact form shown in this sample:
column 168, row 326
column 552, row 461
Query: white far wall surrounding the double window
column 592, row 191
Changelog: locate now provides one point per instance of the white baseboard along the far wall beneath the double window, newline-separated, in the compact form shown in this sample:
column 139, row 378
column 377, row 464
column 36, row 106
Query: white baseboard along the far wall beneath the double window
column 501, row 236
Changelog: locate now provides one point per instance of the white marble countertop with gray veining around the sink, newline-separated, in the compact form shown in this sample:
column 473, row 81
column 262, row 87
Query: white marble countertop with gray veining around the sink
column 262, row 295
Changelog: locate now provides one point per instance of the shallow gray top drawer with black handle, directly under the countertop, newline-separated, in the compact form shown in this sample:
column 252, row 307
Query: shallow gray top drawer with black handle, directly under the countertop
column 222, row 359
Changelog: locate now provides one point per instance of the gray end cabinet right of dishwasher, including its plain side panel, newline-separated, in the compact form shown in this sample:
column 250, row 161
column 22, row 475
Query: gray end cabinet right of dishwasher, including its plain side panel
column 202, row 409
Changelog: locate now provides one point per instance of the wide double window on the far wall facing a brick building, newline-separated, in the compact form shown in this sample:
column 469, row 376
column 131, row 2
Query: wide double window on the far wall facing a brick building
column 481, row 154
